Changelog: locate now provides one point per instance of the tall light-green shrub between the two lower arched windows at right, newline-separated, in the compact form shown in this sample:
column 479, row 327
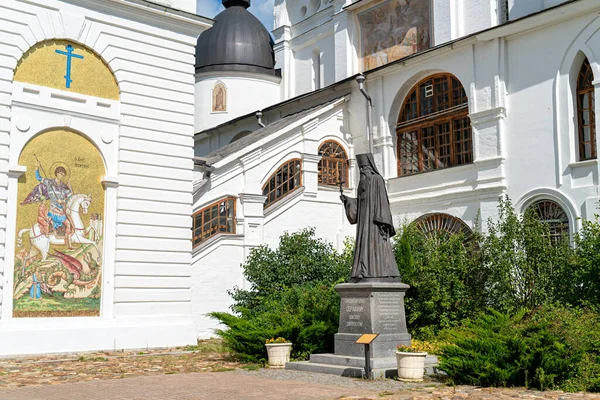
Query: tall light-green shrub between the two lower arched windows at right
column 523, row 264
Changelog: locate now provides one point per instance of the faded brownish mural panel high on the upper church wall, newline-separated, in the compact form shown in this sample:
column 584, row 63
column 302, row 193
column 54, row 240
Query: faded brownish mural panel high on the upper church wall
column 393, row 30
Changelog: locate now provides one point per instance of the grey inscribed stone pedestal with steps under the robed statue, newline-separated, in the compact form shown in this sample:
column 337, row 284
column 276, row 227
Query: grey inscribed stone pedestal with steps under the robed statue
column 374, row 307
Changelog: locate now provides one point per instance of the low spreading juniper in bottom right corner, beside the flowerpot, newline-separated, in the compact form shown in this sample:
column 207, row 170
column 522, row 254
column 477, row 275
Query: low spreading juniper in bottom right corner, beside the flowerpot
column 552, row 347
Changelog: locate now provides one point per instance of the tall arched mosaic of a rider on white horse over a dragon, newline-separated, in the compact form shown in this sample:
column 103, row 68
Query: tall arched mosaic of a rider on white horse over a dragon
column 59, row 235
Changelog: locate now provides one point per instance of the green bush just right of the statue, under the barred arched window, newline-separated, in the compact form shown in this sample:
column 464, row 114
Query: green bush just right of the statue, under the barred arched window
column 445, row 278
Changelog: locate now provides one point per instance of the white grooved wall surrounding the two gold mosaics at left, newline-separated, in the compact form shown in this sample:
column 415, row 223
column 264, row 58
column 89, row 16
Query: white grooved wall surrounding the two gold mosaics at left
column 146, row 139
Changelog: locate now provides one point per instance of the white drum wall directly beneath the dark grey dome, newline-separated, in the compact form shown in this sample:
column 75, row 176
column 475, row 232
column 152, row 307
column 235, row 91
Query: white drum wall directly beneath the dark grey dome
column 245, row 93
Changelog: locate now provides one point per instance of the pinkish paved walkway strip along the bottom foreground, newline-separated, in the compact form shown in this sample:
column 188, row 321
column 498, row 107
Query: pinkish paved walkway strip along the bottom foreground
column 266, row 385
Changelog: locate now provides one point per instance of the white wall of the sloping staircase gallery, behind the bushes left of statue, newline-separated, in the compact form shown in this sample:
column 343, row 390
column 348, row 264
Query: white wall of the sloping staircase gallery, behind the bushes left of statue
column 216, row 263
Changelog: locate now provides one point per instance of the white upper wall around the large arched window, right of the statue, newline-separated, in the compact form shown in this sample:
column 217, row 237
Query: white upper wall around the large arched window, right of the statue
column 523, row 121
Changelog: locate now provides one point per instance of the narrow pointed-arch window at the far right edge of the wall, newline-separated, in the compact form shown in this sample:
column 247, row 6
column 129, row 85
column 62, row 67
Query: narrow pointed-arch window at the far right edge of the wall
column 585, row 113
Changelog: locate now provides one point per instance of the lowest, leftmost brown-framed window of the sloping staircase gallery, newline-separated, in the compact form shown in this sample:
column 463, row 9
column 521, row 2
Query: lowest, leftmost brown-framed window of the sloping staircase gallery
column 216, row 218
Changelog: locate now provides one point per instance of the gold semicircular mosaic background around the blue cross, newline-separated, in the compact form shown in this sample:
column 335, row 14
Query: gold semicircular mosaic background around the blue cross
column 41, row 65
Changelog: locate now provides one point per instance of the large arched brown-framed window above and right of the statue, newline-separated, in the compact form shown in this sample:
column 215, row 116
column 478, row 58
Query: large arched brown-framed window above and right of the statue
column 434, row 129
